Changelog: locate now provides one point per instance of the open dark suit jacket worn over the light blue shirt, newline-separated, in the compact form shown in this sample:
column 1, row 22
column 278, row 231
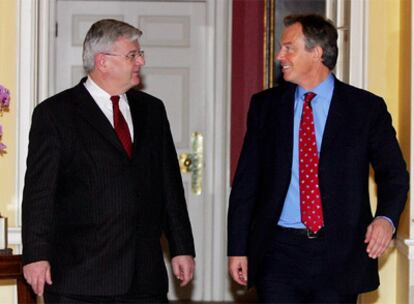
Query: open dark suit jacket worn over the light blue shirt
column 358, row 133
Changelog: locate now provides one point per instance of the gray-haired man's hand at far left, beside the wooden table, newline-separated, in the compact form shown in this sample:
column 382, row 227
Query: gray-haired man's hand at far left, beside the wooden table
column 36, row 274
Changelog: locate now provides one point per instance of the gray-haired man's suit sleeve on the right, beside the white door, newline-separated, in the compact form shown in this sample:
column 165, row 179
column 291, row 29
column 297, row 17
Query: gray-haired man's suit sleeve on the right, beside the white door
column 177, row 225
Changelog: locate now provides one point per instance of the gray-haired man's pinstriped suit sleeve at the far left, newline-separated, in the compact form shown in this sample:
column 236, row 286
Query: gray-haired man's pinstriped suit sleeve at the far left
column 40, row 187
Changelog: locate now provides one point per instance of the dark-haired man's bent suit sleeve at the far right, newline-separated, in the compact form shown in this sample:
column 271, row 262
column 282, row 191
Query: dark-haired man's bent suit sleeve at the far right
column 387, row 160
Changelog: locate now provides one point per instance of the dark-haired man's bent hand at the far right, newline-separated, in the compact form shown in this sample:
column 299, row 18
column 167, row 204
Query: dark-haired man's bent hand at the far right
column 378, row 236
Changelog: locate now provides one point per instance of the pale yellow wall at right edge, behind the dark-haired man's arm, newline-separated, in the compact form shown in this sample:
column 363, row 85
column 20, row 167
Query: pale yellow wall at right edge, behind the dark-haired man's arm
column 389, row 73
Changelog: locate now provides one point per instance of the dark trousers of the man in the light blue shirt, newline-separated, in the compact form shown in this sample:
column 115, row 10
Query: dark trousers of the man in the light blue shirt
column 294, row 271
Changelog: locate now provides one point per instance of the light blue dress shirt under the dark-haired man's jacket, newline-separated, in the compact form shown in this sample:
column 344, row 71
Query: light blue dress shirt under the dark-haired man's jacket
column 290, row 216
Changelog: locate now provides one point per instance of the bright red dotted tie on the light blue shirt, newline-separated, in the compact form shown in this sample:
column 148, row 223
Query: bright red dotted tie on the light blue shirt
column 310, row 196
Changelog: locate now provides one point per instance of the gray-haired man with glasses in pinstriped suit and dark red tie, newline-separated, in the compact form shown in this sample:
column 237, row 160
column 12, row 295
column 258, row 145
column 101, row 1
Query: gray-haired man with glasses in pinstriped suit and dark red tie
column 103, row 183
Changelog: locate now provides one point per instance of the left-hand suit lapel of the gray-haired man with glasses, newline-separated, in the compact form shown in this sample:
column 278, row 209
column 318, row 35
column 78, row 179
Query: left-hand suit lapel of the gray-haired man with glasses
column 89, row 111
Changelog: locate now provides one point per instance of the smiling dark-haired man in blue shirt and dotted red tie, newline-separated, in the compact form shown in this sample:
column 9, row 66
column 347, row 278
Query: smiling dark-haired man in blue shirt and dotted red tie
column 300, row 227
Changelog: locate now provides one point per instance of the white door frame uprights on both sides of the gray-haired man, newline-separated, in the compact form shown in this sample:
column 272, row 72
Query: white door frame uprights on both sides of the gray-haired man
column 36, row 26
